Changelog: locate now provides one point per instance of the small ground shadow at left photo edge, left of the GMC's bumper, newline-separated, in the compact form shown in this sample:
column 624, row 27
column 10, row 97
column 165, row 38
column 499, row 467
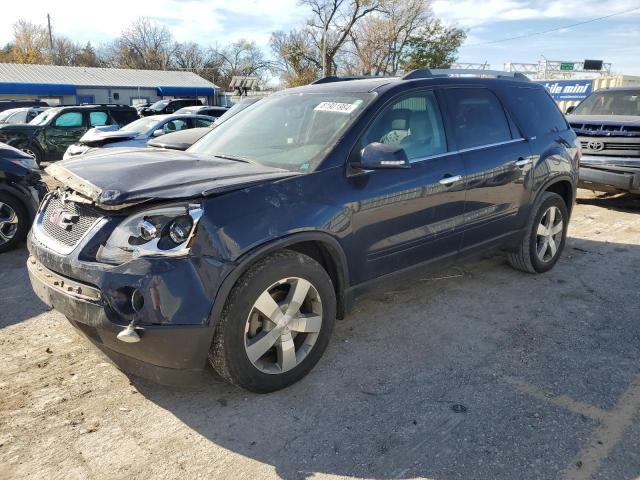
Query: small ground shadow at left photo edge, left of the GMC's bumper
column 17, row 300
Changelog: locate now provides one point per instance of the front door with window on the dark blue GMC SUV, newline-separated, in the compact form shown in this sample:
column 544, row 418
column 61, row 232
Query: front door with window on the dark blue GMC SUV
column 405, row 217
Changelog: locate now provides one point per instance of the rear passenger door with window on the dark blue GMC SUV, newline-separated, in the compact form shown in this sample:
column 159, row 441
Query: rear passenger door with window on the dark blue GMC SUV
column 497, row 161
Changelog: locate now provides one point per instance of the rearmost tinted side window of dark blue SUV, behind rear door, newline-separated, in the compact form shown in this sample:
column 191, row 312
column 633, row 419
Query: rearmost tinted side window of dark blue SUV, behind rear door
column 535, row 111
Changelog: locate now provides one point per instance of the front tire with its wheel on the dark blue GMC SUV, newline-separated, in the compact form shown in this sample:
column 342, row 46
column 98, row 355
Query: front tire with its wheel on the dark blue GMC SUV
column 242, row 324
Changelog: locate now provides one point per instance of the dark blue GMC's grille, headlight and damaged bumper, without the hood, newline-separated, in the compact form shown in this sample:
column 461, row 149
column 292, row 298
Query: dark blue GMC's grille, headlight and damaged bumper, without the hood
column 131, row 281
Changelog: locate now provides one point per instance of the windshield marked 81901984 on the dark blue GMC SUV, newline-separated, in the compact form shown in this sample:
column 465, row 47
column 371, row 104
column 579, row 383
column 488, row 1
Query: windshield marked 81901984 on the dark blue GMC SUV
column 293, row 131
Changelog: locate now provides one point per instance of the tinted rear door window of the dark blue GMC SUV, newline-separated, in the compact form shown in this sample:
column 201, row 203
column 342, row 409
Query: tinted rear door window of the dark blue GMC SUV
column 477, row 117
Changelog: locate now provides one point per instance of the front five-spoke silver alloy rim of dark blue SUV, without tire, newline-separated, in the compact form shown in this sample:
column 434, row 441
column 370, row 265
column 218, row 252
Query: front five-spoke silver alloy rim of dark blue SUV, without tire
column 283, row 325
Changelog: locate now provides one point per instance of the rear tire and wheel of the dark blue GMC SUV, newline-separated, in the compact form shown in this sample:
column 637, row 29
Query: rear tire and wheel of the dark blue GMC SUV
column 528, row 258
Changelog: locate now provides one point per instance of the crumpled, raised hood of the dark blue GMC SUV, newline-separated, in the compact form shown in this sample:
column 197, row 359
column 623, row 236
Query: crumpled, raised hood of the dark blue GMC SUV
column 119, row 177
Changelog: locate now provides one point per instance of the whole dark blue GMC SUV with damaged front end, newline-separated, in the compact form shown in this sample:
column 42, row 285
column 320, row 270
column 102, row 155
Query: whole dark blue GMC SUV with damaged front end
column 243, row 250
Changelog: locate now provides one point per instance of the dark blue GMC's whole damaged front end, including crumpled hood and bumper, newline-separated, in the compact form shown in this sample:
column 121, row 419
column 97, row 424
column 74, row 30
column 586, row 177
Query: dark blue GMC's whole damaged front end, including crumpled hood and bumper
column 122, row 252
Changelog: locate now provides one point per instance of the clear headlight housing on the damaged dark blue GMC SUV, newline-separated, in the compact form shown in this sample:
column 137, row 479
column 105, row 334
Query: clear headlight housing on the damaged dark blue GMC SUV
column 166, row 230
